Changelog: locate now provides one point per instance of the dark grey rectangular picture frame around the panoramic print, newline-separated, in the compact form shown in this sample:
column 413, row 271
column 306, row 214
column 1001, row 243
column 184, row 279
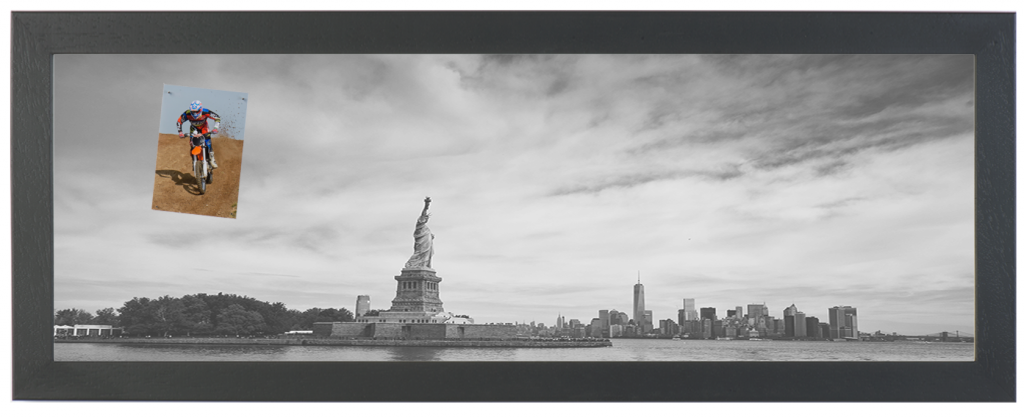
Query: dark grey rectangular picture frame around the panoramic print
column 37, row 36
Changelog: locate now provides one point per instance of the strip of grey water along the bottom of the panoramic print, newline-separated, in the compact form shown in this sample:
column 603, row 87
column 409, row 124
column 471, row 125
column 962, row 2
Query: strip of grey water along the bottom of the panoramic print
column 622, row 351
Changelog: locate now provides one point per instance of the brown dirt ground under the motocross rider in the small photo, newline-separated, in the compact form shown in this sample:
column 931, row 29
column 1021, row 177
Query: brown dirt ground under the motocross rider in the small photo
column 175, row 189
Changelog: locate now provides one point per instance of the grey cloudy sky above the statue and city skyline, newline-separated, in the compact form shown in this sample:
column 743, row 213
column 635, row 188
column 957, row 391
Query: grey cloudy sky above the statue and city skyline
column 815, row 181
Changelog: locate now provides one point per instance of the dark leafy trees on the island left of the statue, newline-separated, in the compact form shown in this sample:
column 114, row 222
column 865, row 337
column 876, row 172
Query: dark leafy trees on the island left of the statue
column 203, row 315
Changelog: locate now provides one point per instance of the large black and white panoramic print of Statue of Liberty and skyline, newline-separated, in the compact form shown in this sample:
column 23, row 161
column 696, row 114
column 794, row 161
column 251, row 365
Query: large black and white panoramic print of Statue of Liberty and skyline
column 518, row 208
